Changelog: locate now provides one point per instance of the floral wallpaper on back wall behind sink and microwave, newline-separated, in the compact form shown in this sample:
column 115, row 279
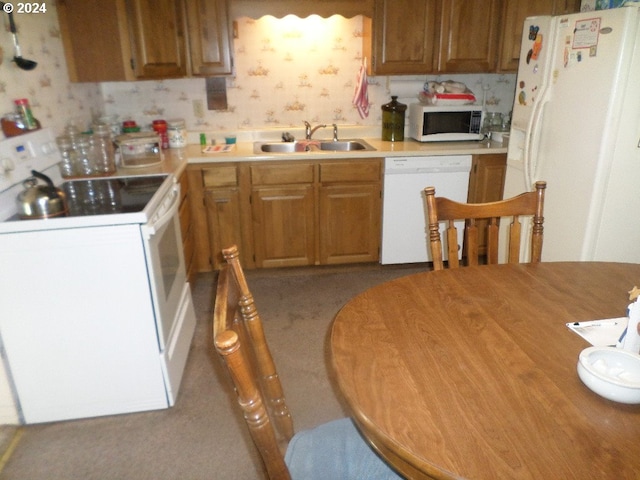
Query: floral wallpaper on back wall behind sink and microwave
column 286, row 71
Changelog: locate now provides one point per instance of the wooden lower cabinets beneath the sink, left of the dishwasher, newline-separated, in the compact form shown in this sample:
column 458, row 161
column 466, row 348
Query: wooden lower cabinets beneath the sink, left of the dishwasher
column 289, row 213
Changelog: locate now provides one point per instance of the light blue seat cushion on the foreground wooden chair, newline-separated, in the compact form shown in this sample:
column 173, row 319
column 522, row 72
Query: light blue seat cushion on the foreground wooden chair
column 336, row 451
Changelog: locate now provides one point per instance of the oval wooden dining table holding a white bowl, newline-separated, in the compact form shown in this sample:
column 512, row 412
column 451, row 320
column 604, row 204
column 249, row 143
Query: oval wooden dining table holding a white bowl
column 471, row 372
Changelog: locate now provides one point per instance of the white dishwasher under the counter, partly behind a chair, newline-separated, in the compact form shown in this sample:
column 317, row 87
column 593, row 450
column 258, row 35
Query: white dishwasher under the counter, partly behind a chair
column 405, row 238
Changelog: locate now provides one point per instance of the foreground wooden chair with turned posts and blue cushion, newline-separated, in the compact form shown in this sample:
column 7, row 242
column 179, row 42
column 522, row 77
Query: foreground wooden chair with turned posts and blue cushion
column 328, row 451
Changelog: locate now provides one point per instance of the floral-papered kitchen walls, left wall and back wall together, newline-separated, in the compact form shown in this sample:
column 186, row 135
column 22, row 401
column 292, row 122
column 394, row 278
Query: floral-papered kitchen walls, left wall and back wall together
column 287, row 71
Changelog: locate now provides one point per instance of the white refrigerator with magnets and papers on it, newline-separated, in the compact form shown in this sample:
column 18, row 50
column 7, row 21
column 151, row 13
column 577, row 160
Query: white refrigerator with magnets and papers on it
column 576, row 124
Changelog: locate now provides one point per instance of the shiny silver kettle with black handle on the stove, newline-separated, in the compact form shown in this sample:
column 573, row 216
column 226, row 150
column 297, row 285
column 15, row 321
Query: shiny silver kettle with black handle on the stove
column 41, row 201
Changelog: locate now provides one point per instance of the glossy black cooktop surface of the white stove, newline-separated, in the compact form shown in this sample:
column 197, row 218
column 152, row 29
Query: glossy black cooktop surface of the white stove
column 103, row 196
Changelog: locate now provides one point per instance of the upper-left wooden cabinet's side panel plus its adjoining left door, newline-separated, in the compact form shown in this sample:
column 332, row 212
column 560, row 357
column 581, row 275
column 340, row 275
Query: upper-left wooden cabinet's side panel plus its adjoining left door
column 111, row 40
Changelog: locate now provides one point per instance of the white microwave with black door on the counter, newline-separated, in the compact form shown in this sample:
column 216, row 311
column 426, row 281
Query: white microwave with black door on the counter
column 445, row 123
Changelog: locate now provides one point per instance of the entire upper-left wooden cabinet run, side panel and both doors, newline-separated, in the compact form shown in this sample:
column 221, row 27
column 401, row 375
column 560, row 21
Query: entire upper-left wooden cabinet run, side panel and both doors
column 112, row 40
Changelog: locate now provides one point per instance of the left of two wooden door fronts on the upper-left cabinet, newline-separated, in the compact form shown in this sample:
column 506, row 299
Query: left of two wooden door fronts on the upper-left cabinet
column 158, row 38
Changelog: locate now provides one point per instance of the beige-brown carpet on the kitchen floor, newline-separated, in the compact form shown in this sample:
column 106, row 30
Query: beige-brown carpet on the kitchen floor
column 203, row 436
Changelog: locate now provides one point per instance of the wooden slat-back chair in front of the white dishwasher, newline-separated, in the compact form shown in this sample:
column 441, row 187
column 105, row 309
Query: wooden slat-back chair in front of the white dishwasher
column 442, row 209
